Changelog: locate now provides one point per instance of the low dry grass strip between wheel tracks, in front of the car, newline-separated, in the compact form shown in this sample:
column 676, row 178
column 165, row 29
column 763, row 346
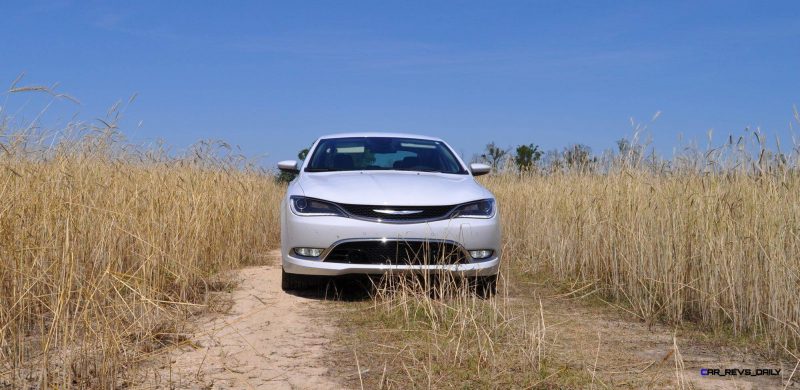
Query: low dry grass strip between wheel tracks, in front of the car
column 436, row 332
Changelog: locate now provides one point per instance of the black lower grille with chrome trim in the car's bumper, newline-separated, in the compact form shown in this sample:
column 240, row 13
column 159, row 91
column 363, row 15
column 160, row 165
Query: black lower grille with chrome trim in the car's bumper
column 396, row 252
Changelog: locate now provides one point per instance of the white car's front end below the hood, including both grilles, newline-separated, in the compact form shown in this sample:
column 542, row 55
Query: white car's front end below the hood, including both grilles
column 357, row 241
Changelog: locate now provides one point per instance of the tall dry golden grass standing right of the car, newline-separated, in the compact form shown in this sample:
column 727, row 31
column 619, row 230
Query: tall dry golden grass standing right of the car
column 710, row 237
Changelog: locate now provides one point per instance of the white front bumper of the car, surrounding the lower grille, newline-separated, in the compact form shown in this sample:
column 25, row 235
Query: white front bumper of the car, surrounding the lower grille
column 326, row 231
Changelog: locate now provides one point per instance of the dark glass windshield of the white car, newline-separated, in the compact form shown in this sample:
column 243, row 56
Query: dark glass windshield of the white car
column 383, row 153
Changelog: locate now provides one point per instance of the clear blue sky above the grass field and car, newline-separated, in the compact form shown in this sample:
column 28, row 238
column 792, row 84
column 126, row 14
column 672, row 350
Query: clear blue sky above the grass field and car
column 273, row 76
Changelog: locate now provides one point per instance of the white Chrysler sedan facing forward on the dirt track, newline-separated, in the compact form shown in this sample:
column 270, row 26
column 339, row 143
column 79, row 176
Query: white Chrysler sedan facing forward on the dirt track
column 376, row 203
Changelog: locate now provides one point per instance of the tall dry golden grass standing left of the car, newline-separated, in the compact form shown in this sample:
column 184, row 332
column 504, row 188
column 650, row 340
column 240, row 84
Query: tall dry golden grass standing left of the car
column 105, row 246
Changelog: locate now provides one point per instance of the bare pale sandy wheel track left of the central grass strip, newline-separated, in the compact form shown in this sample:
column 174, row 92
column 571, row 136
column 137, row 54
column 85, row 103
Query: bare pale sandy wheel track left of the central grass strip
column 267, row 340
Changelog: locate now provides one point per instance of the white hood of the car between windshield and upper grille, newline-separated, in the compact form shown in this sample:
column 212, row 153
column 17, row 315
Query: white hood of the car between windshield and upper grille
column 392, row 188
